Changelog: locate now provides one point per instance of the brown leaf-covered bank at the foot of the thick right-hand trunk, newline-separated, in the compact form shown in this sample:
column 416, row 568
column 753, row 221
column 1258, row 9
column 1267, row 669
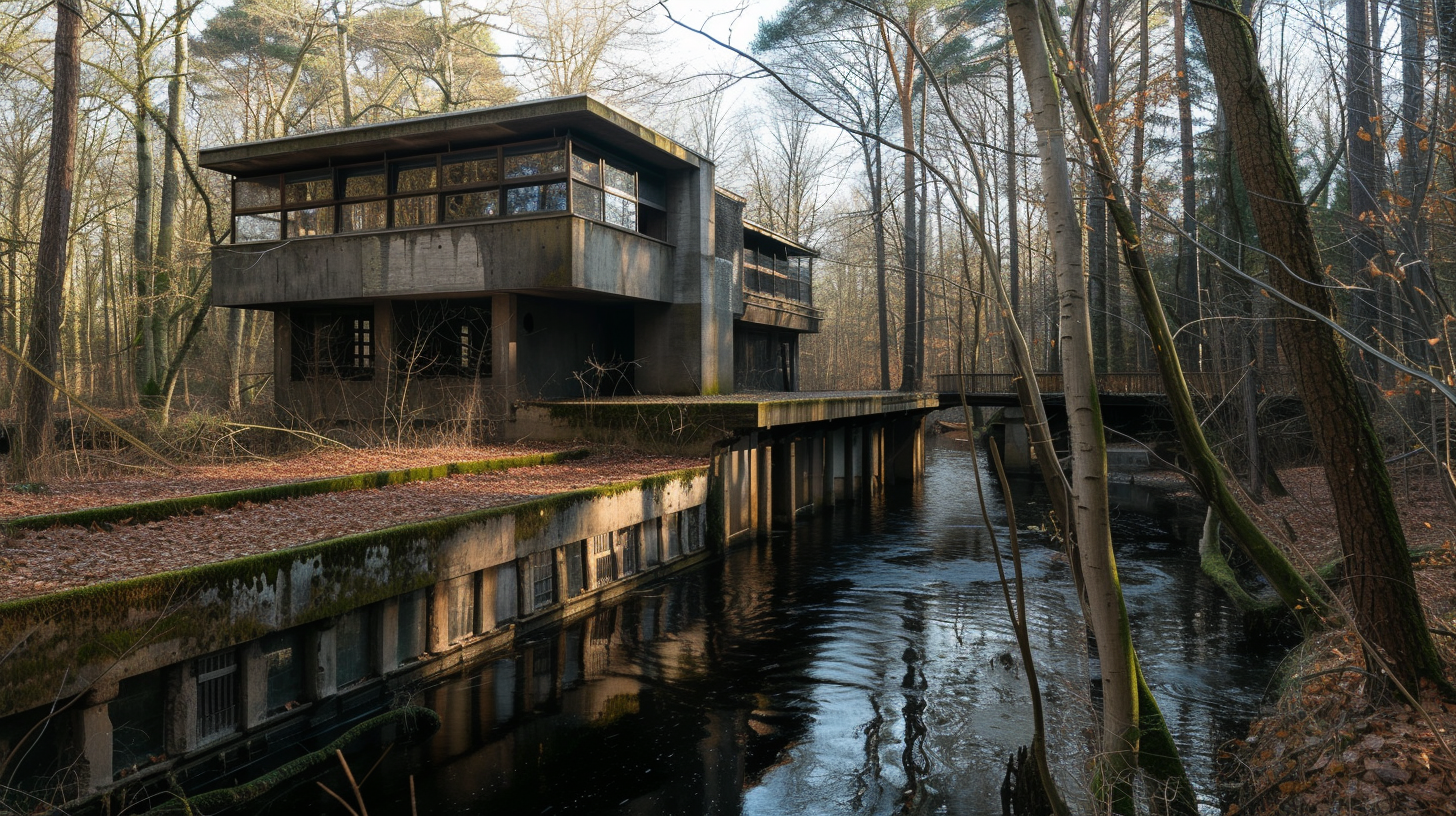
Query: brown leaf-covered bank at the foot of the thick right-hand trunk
column 1323, row 747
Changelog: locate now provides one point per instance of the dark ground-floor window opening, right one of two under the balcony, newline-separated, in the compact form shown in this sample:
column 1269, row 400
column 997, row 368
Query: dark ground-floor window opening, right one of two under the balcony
column 445, row 339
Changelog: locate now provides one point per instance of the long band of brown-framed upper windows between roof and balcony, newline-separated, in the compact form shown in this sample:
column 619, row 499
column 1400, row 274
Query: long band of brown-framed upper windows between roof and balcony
column 462, row 186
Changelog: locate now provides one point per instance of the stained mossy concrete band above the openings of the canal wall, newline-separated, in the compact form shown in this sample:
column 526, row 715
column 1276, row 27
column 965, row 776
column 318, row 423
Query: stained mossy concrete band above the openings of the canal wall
column 68, row 643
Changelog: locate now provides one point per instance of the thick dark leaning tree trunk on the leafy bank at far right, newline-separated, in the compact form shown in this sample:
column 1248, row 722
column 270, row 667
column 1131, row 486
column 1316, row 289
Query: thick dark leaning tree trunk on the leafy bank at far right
column 1387, row 607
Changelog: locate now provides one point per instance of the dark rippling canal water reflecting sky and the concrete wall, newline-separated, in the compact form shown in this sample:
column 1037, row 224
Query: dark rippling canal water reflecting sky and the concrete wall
column 861, row 665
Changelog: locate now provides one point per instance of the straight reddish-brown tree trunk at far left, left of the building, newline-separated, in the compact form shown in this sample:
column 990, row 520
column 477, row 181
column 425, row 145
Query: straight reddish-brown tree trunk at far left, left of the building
column 50, row 263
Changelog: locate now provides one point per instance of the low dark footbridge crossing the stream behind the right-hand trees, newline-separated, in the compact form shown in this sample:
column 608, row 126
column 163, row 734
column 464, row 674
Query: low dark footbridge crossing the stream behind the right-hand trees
column 1131, row 388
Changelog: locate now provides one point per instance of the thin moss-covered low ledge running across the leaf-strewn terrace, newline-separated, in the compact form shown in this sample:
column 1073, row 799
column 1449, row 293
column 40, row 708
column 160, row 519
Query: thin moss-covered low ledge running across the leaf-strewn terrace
column 168, row 508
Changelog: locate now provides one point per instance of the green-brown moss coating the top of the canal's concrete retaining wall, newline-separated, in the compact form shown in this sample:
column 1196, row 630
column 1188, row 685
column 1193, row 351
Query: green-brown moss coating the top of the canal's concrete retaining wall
column 74, row 630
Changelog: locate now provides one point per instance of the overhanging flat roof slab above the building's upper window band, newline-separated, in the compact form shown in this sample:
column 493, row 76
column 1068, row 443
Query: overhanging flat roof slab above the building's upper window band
column 519, row 122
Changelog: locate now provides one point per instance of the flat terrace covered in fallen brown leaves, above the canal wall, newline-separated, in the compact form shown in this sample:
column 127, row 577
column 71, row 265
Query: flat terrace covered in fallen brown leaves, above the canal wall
column 41, row 562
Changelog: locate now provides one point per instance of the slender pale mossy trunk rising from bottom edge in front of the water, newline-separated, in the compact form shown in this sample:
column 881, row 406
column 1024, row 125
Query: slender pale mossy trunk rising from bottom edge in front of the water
column 1090, row 508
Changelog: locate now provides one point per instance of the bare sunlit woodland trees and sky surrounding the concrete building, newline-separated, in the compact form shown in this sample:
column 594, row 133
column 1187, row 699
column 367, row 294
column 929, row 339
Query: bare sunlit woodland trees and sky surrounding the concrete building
column 1243, row 199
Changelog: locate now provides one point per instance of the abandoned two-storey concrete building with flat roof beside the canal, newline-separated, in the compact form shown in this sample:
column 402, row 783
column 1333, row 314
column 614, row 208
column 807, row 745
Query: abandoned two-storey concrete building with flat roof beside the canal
column 464, row 262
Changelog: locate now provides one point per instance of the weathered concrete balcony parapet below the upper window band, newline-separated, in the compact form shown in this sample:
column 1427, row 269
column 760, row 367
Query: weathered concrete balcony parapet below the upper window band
column 548, row 256
